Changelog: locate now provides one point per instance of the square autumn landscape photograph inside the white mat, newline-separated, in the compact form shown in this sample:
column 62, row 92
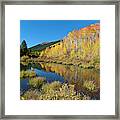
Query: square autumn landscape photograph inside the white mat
column 59, row 59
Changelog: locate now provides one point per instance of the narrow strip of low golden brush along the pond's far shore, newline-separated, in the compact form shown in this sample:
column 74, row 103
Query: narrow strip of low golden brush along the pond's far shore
column 25, row 60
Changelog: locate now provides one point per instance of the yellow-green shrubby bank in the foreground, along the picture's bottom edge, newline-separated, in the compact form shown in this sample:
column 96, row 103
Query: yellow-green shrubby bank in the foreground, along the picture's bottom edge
column 41, row 90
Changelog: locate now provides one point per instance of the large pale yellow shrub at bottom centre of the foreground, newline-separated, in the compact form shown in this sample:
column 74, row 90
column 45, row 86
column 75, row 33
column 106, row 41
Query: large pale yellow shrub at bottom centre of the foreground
column 63, row 92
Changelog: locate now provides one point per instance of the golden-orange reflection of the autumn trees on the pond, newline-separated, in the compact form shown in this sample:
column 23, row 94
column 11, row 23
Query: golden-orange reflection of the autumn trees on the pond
column 73, row 74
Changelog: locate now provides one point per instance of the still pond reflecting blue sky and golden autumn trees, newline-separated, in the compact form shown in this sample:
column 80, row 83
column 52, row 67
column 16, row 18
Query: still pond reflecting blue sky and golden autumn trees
column 83, row 79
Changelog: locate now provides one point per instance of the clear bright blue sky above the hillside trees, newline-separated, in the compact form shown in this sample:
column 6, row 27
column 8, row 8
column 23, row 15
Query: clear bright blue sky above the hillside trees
column 39, row 31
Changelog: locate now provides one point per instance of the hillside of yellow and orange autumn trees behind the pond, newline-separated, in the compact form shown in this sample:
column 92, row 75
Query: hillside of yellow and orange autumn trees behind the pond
column 79, row 47
